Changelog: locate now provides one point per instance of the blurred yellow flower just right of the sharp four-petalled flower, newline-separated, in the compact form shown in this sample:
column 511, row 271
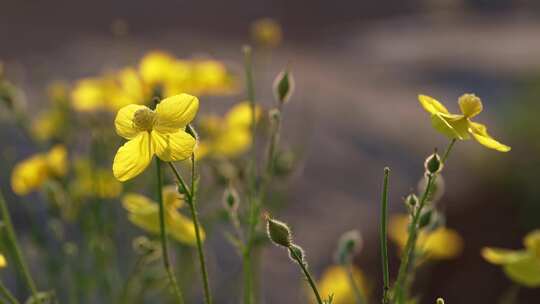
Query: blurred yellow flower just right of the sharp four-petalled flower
column 227, row 136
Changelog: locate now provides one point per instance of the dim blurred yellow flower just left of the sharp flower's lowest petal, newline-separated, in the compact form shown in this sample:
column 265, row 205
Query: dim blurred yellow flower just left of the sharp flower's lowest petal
column 94, row 182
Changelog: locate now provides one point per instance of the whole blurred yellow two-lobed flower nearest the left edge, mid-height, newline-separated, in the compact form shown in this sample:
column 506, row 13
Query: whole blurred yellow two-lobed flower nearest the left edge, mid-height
column 31, row 173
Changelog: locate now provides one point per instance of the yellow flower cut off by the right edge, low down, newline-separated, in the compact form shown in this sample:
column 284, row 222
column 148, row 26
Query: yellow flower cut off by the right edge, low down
column 521, row 266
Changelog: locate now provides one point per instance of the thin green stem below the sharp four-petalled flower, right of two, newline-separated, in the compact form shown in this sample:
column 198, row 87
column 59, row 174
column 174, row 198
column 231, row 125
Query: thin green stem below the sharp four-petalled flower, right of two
column 196, row 224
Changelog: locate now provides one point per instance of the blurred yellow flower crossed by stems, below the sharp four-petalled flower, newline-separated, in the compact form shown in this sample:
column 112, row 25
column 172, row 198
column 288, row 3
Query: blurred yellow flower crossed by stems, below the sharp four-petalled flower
column 144, row 213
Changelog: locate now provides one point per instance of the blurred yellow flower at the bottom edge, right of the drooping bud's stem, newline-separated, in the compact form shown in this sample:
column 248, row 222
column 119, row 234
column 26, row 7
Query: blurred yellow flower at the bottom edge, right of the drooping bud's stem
column 335, row 281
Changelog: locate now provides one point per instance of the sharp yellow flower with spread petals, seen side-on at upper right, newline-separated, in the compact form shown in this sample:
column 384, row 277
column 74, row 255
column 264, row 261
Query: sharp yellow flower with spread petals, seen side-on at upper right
column 460, row 126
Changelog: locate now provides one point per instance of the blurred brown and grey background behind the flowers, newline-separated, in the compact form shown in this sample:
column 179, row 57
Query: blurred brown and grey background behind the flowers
column 359, row 66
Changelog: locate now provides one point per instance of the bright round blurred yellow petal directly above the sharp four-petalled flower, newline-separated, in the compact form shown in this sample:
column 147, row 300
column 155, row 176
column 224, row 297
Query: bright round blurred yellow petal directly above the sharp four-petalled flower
column 155, row 67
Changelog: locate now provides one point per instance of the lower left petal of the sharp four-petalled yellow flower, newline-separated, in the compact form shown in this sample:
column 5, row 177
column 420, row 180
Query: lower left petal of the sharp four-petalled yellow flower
column 133, row 157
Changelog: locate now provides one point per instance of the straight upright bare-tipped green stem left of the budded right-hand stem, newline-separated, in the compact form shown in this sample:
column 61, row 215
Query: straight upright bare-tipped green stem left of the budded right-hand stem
column 384, row 237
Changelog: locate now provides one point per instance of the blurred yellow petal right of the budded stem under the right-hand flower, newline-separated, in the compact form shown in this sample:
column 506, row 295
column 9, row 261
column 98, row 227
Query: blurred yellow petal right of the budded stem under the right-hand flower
column 442, row 243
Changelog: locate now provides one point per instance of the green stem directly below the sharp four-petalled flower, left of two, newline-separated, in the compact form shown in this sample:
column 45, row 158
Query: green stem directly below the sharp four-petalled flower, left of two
column 163, row 236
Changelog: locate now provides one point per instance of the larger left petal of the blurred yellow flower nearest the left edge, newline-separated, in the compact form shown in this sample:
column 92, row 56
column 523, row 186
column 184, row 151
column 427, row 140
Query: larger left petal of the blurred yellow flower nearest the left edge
column 29, row 174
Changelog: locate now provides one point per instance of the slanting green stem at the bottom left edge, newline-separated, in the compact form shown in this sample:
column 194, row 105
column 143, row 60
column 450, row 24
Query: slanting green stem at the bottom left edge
column 19, row 260
